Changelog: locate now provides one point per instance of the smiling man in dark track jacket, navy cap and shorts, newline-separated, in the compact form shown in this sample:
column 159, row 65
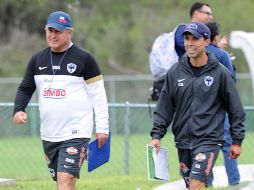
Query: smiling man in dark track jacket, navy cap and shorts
column 195, row 97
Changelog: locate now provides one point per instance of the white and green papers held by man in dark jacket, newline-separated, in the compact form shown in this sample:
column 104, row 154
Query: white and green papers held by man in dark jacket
column 157, row 163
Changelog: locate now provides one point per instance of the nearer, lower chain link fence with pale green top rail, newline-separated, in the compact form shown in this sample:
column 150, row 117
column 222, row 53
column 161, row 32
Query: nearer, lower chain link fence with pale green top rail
column 22, row 157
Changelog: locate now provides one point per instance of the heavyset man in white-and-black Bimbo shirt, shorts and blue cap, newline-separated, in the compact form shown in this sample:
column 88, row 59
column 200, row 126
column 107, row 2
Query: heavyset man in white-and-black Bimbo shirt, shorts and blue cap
column 71, row 95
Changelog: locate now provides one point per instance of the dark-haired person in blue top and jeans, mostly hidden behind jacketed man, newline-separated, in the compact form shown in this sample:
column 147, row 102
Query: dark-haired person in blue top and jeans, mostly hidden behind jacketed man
column 223, row 57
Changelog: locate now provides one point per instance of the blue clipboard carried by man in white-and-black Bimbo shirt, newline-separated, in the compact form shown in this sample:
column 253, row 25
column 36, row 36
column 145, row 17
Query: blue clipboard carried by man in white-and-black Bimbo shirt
column 98, row 156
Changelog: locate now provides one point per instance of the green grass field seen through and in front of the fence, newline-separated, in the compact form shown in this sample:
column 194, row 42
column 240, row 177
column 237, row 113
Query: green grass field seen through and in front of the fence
column 22, row 159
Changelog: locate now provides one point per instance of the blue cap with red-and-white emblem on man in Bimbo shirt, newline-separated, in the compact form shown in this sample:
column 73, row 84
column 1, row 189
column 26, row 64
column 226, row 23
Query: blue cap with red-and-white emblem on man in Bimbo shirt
column 59, row 20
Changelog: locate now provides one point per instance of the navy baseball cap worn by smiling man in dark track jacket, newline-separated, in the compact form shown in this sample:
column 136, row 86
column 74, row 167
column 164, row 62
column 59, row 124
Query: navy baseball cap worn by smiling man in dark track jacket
column 198, row 30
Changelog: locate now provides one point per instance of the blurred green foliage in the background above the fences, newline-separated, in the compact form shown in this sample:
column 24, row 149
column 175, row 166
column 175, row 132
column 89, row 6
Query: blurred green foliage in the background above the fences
column 118, row 33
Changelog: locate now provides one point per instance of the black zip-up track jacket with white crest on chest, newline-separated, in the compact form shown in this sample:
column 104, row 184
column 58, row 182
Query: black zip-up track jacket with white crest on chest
column 197, row 105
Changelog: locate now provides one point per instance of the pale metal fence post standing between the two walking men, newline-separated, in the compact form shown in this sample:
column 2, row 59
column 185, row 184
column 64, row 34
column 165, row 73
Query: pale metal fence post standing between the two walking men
column 126, row 137
